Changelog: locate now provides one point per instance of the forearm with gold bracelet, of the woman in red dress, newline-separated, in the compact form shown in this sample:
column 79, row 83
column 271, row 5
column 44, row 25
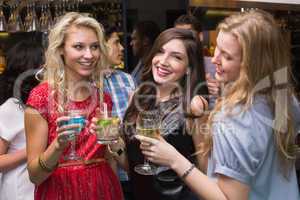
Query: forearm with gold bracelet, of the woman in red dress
column 50, row 158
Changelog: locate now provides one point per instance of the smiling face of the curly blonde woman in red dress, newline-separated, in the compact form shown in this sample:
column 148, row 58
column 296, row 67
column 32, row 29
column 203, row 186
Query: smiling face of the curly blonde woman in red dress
column 81, row 52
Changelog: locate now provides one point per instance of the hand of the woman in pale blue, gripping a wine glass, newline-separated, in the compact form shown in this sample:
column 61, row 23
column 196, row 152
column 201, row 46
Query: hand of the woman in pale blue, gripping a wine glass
column 158, row 150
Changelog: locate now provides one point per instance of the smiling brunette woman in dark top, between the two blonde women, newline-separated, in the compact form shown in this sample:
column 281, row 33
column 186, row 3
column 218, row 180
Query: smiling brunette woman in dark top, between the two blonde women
column 173, row 72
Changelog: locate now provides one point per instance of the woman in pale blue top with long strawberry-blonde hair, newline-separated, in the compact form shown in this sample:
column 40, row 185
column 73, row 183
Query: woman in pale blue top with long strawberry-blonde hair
column 251, row 144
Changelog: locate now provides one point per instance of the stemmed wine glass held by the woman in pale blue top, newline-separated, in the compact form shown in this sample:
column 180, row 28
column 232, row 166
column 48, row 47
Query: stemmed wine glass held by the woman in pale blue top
column 147, row 124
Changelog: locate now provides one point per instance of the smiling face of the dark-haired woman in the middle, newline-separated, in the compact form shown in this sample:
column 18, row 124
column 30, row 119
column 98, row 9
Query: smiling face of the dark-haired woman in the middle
column 170, row 63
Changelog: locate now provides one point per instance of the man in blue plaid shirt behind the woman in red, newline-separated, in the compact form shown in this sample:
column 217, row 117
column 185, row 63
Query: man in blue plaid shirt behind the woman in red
column 120, row 86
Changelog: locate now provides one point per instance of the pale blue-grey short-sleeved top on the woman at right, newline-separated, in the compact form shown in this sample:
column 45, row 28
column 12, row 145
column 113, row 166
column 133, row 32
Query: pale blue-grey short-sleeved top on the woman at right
column 244, row 149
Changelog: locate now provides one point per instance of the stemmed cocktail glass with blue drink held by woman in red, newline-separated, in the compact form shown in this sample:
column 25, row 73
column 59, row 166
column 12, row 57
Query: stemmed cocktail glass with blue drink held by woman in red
column 77, row 117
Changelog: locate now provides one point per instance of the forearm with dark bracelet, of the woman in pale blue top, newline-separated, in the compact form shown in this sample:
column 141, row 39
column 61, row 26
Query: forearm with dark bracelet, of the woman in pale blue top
column 197, row 181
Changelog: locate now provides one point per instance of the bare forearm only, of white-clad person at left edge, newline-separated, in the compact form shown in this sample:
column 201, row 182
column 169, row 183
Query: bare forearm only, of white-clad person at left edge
column 12, row 160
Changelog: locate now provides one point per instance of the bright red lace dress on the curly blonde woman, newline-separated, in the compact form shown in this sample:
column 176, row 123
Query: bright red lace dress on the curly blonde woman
column 95, row 181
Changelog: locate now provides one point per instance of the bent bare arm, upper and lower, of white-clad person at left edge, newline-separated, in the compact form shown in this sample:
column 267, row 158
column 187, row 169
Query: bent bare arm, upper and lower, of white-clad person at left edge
column 10, row 161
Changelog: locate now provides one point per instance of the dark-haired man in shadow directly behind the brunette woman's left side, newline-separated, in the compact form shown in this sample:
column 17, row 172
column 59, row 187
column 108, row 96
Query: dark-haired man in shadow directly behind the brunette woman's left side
column 142, row 39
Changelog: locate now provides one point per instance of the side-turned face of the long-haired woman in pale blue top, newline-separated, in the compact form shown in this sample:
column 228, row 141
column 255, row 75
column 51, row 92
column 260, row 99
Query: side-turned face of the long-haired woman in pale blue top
column 227, row 57
